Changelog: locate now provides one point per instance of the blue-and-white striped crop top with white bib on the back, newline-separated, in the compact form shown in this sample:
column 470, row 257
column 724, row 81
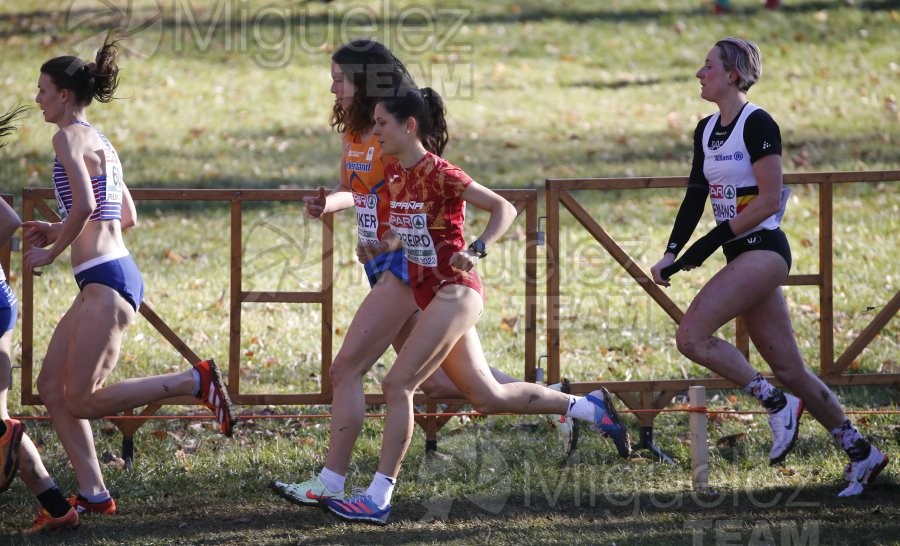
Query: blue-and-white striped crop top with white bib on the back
column 107, row 187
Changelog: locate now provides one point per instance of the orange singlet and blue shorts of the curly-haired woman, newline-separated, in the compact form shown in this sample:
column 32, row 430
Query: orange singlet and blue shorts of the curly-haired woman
column 362, row 170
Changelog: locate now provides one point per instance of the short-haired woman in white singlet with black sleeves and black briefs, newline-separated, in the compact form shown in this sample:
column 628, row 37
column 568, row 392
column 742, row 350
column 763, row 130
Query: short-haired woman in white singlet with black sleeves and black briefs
column 737, row 163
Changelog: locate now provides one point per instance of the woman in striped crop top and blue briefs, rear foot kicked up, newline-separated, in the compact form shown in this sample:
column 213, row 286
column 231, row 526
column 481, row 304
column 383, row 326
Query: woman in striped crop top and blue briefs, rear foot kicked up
column 95, row 206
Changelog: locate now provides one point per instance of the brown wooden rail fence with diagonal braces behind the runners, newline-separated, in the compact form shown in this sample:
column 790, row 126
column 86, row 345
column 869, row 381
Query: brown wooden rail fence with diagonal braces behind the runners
column 649, row 396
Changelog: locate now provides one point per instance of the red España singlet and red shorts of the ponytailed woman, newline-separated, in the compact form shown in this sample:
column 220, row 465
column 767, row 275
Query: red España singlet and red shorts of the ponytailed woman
column 428, row 214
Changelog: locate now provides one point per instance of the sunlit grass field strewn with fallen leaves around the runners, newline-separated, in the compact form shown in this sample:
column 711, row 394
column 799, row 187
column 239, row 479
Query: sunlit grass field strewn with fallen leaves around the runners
column 219, row 93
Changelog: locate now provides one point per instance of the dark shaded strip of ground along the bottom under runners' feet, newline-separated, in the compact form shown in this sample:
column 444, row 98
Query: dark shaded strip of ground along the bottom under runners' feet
column 641, row 517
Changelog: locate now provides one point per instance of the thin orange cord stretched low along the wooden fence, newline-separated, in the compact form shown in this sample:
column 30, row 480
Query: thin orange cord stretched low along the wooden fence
column 251, row 416
